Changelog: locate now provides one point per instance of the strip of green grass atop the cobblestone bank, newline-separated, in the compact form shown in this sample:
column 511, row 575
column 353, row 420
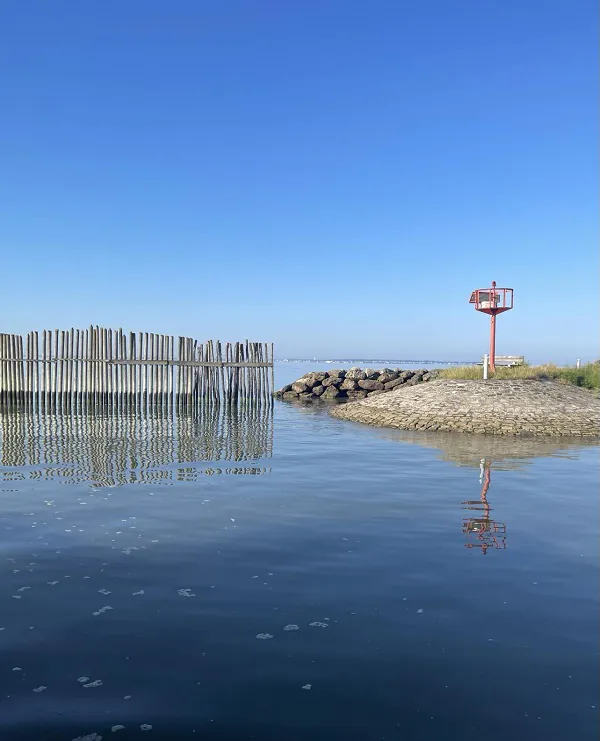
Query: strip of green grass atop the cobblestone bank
column 587, row 376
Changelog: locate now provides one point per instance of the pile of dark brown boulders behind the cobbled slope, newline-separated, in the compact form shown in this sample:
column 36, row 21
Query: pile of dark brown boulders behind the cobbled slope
column 351, row 384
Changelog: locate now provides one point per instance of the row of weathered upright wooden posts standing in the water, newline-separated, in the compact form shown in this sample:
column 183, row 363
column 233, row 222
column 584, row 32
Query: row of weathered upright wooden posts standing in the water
column 106, row 367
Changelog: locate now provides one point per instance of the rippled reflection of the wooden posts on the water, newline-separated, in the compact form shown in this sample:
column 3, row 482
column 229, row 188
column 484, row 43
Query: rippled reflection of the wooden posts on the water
column 117, row 449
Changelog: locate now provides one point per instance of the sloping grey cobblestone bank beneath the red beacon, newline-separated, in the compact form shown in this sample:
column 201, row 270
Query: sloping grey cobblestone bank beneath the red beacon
column 494, row 407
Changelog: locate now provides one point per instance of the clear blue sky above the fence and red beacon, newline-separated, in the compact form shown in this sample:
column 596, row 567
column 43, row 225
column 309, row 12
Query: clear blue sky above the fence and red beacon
column 335, row 176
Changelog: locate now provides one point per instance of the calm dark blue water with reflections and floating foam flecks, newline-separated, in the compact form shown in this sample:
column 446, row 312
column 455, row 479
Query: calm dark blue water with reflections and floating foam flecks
column 259, row 576
